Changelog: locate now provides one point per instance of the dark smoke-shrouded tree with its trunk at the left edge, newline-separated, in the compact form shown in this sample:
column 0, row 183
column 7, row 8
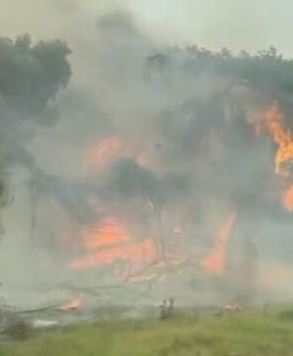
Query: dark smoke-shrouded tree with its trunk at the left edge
column 31, row 76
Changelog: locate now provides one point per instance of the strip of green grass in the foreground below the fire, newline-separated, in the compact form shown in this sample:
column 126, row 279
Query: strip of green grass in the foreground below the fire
column 249, row 333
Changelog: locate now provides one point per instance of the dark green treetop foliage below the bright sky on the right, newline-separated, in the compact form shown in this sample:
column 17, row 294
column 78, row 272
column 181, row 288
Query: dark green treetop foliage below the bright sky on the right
column 266, row 70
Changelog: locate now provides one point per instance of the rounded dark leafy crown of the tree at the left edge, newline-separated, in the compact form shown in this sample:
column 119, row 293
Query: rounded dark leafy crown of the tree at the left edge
column 31, row 74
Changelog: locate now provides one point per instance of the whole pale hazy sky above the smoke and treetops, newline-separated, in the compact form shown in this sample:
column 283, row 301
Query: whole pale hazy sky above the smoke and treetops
column 237, row 24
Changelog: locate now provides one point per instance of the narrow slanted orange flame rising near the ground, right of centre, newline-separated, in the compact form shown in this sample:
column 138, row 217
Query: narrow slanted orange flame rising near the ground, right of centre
column 216, row 260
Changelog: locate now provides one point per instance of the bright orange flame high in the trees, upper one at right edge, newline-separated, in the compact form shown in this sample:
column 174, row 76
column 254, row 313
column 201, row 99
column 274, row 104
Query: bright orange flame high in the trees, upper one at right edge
column 273, row 122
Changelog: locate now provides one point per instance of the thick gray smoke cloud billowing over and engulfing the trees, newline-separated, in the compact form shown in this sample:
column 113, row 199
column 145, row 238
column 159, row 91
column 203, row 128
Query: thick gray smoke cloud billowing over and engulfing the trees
column 157, row 137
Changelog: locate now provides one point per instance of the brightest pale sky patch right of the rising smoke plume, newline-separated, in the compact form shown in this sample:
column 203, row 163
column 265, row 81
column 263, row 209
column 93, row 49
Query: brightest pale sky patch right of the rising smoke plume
column 236, row 24
